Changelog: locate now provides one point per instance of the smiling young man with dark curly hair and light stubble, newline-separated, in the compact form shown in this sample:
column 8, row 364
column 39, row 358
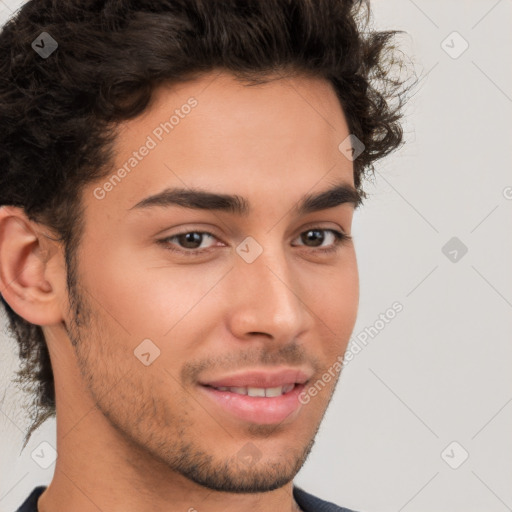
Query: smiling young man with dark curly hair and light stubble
column 178, row 180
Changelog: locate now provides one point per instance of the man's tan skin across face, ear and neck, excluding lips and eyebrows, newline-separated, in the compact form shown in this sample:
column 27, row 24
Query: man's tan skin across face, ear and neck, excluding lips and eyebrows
column 132, row 437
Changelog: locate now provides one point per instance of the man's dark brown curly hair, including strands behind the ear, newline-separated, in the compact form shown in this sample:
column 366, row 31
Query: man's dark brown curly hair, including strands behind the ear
column 58, row 114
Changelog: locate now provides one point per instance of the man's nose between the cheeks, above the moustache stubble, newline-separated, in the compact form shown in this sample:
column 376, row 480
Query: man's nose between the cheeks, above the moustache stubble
column 267, row 299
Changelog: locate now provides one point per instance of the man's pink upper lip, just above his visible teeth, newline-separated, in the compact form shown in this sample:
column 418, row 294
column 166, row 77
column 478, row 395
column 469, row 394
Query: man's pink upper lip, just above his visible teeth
column 261, row 379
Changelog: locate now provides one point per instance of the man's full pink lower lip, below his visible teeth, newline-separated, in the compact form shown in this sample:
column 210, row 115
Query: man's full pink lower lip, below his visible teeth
column 257, row 409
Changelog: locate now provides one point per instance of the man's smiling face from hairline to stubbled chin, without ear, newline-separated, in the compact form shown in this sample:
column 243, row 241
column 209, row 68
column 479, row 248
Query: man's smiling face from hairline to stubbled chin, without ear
column 163, row 323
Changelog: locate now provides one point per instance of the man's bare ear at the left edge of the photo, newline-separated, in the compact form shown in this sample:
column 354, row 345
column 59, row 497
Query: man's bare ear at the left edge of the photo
column 31, row 279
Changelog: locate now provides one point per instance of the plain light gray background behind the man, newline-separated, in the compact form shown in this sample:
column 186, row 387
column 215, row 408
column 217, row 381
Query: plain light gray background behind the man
column 440, row 371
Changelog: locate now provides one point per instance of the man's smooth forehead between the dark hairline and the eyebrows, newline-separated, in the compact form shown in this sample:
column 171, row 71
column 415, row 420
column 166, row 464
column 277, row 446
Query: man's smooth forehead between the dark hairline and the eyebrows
column 217, row 133
